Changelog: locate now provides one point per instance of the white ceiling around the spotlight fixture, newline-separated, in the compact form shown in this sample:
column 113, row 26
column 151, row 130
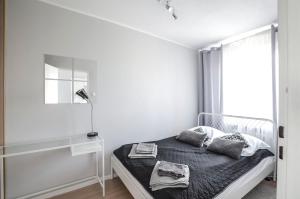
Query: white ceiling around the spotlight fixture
column 200, row 22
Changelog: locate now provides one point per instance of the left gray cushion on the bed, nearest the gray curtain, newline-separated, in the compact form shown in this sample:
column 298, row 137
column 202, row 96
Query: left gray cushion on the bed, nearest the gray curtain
column 192, row 137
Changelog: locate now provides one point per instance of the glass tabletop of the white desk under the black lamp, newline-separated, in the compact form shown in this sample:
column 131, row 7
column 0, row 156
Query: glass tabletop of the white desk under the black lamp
column 47, row 145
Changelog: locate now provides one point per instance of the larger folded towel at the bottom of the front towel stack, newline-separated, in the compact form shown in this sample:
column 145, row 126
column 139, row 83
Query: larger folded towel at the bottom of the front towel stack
column 160, row 182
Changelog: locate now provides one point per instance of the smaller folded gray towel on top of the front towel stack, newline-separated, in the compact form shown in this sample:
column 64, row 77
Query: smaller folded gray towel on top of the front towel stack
column 171, row 169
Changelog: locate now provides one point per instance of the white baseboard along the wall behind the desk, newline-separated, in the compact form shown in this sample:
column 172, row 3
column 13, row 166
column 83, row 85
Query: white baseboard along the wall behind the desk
column 63, row 189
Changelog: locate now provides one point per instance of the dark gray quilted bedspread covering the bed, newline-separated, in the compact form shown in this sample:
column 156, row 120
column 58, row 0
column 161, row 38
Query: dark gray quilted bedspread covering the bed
column 211, row 174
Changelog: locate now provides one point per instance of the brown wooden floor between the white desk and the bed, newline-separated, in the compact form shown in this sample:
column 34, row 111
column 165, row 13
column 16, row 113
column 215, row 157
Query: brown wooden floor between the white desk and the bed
column 115, row 189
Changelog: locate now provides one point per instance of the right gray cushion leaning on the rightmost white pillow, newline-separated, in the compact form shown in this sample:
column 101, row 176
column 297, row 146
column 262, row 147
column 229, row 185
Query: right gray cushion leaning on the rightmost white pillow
column 231, row 148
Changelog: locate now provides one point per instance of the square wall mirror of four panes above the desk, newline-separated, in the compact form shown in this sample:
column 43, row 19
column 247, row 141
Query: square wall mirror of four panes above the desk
column 66, row 75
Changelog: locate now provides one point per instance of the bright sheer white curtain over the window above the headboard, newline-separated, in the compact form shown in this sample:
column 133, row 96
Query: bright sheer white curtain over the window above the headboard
column 247, row 77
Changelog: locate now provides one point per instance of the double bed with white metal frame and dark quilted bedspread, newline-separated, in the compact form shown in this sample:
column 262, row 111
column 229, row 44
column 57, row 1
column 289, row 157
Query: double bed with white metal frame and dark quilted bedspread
column 212, row 175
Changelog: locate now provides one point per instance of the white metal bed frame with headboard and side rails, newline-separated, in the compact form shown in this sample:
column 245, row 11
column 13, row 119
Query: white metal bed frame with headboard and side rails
column 264, row 129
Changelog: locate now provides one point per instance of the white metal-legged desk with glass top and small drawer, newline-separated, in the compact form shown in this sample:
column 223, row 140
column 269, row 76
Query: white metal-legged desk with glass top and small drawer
column 78, row 145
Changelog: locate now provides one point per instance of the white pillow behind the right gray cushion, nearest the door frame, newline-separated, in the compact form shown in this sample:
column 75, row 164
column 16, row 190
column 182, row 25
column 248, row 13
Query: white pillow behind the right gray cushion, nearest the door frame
column 254, row 145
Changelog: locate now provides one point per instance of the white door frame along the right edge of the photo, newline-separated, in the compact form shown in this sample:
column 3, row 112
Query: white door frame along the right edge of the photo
column 289, row 117
